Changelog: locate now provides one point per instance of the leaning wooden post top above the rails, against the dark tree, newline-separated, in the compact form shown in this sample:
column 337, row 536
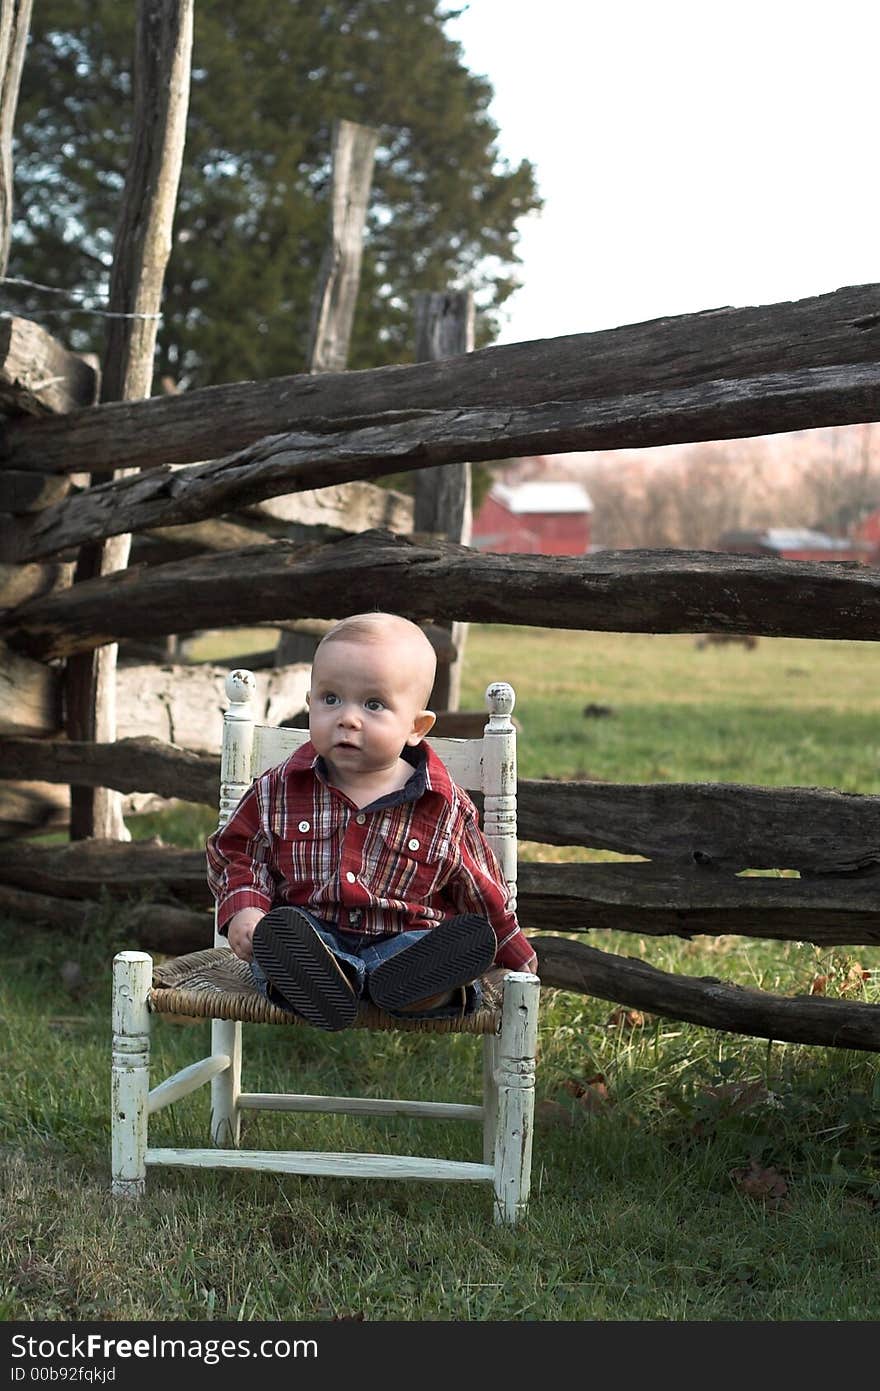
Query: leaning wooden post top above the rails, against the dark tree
column 333, row 314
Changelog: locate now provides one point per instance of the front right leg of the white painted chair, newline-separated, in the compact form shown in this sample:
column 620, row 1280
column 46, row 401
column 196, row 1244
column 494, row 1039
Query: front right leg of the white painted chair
column 516, row 1095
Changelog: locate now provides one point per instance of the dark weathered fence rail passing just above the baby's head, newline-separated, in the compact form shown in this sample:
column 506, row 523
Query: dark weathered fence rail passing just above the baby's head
column 625, row 592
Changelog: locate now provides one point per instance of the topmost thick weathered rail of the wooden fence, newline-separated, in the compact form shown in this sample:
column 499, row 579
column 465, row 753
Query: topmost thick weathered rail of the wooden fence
column 637, row 361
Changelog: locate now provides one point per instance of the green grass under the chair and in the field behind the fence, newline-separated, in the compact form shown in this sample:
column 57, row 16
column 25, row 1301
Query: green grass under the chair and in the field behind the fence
column 681, row 1175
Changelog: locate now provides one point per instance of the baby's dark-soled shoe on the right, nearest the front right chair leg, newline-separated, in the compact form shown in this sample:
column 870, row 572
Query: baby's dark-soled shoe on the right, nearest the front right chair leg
column 455, row 954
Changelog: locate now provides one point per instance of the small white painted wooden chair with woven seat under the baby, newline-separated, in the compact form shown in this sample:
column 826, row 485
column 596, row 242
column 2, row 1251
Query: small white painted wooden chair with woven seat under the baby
column 218, row 986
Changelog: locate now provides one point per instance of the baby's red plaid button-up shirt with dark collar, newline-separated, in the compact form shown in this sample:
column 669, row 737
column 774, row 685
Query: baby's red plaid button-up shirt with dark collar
column 409, row 860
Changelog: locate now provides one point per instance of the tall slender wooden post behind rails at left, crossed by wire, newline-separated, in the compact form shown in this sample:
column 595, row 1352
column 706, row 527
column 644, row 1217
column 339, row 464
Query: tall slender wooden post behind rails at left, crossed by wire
column 141, row 255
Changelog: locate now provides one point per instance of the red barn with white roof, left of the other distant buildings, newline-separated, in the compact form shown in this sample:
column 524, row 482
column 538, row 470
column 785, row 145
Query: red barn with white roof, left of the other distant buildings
column 535, row 520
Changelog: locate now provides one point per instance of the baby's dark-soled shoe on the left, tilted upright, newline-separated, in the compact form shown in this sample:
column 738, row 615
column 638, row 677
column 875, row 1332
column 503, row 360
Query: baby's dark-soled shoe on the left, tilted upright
column 302, row 970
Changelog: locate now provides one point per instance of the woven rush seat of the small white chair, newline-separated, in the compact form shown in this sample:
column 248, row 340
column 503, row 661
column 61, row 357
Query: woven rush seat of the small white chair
column 216, row 986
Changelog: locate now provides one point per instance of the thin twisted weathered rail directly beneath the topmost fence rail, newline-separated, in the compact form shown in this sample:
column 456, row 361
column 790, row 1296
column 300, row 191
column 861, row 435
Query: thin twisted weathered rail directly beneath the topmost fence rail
column 421, row 440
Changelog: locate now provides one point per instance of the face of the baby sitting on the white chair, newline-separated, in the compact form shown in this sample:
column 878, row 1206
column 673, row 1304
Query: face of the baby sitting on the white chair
column 365, row 706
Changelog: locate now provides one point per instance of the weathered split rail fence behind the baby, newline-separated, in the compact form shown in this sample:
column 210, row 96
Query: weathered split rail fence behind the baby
column 204, row 565
